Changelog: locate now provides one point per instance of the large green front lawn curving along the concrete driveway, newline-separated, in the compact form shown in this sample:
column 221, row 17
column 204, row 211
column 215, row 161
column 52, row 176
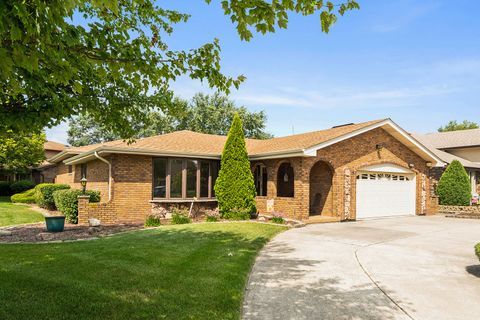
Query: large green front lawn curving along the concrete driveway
column 194, row 271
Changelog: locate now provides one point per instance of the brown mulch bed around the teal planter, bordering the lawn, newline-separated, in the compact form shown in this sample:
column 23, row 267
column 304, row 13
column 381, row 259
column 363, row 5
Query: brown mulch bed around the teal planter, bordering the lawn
column 38, row 233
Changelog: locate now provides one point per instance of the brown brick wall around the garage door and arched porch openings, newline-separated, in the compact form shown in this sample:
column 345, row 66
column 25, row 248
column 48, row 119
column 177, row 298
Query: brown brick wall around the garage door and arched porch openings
column 350, row 155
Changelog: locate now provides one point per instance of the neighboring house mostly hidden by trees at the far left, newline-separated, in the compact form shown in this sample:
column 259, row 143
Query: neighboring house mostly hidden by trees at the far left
column 45, row 172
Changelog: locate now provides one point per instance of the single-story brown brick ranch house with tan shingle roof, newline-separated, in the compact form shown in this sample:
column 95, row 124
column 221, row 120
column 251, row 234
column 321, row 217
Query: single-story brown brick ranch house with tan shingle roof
column 348, row 172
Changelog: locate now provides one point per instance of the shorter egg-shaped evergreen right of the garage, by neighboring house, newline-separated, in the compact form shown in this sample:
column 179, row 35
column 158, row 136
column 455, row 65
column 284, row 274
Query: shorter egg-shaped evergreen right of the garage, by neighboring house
column 454, row 187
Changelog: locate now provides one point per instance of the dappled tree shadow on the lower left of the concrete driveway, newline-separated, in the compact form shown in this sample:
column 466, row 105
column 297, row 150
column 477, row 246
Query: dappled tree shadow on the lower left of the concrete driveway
column 282, row 288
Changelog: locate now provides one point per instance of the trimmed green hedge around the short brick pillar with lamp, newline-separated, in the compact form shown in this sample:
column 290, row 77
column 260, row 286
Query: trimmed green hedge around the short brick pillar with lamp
column 66, row 202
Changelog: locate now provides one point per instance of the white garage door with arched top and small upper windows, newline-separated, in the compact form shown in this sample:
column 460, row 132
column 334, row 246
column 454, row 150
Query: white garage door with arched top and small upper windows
column 384, row 191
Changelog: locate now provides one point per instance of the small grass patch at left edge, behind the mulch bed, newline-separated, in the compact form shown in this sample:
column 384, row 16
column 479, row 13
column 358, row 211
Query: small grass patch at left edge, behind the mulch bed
column 11, row 214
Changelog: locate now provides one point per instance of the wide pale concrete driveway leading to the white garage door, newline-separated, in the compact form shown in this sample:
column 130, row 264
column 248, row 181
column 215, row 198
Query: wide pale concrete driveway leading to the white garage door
column 398, row 268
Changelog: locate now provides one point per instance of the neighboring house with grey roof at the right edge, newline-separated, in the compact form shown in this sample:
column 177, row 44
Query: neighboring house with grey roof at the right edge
column 462, row 145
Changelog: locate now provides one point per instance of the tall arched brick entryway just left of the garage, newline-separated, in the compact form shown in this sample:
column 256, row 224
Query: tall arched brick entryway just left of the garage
column 321, row 196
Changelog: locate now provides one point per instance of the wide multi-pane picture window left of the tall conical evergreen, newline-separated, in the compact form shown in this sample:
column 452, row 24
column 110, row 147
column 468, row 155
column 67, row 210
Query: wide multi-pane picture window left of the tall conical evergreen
column 183, row 178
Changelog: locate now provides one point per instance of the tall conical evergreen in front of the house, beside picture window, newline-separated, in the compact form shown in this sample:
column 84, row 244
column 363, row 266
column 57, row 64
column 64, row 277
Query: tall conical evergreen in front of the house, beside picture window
column 235, row 188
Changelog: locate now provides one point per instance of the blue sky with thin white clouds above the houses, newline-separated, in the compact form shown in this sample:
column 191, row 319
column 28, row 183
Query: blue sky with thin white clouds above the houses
column 417, row 62
